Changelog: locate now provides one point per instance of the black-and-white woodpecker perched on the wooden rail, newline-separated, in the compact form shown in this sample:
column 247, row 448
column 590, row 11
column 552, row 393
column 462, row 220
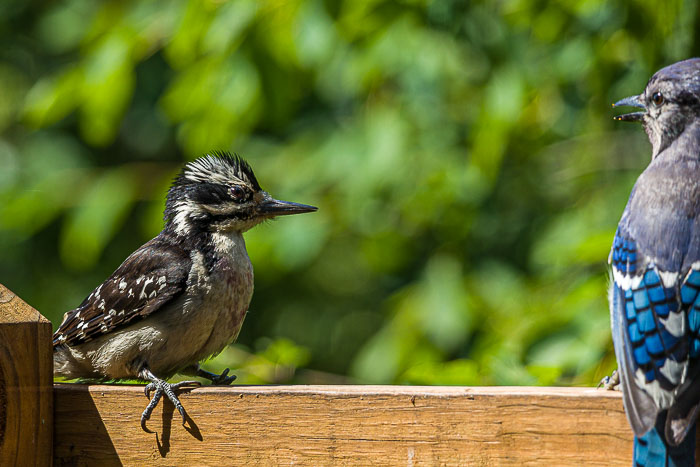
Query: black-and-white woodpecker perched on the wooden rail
column 182, row 296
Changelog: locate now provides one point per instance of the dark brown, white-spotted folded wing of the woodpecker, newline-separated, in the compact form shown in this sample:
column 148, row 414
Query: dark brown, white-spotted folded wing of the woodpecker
column 148, row 279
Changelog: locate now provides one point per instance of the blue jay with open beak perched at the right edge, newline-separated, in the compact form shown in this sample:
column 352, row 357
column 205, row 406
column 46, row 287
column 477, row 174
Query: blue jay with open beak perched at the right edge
column 655, row 258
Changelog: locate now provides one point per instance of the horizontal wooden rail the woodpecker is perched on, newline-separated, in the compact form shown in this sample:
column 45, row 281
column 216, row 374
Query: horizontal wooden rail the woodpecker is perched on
column 344, row 425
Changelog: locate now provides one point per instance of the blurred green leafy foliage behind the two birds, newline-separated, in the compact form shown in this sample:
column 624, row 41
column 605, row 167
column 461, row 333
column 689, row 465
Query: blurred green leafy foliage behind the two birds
column 463, row 156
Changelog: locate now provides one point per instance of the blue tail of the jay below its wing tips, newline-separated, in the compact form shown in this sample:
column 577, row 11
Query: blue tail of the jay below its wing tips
column 651, row 450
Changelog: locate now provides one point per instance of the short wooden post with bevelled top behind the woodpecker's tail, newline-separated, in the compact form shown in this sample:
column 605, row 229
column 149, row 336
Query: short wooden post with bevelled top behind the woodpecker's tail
column 26, row 383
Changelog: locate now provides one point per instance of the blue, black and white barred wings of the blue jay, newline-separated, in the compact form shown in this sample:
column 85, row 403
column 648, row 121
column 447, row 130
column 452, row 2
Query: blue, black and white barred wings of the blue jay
column 656, row 329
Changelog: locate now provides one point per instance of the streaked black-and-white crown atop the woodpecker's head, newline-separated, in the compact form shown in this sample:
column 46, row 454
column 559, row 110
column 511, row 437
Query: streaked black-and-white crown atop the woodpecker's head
column 218, row 168
